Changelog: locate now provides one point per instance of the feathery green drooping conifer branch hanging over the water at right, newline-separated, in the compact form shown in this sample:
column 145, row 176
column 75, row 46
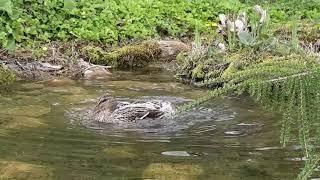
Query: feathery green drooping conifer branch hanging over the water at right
column 288, row 85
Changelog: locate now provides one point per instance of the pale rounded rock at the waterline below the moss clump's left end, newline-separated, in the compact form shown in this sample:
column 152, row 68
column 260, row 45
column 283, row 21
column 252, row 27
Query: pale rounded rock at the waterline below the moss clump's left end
column 96, row 72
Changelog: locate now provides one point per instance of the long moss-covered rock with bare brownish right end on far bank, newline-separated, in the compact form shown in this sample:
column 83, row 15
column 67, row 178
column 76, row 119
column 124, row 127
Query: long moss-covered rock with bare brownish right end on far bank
column 135, row 56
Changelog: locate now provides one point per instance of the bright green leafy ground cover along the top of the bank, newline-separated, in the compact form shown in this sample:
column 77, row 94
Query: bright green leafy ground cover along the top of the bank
column 114, row 21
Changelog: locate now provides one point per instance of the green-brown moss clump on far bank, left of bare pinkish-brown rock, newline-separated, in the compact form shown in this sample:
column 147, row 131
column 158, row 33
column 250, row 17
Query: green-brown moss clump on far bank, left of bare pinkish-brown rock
column 126, row 57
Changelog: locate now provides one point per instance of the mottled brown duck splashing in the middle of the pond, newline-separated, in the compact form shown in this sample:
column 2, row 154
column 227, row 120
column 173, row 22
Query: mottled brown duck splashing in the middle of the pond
column 109, row 110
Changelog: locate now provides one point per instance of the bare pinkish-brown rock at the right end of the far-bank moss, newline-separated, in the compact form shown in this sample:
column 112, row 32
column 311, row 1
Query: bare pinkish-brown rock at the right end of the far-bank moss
column 170, row 49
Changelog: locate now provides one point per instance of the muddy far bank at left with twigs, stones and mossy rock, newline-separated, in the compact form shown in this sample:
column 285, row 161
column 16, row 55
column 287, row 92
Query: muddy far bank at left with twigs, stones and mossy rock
column 88, row 61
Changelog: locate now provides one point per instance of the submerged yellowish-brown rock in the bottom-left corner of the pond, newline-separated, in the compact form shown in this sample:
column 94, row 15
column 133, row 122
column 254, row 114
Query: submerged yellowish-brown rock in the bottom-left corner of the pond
column 24, row 171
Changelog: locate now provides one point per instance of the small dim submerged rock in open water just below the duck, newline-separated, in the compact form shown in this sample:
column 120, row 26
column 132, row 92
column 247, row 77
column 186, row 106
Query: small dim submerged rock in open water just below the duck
column 120, row 152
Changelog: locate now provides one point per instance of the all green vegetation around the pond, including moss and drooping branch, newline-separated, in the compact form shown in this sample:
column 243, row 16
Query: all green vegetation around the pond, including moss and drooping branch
column 270, row 62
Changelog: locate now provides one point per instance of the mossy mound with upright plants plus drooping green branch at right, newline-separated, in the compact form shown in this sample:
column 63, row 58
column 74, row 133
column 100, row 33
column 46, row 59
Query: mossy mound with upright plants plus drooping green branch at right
column 281, row 75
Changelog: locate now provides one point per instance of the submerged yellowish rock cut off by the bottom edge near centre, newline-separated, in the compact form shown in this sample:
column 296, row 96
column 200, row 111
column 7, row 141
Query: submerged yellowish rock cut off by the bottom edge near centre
column 168, row 171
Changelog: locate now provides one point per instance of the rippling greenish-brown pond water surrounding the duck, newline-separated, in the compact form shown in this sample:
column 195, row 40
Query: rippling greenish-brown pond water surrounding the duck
column 230, row 138
